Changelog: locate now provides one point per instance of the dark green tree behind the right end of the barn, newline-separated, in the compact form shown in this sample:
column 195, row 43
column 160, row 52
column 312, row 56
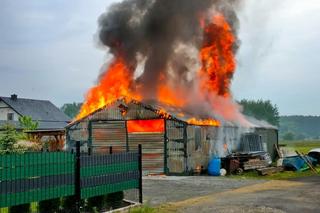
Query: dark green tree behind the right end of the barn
column 261, row 110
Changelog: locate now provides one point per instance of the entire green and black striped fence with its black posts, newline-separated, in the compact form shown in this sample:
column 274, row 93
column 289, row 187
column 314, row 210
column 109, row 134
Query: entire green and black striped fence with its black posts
column 38, row 176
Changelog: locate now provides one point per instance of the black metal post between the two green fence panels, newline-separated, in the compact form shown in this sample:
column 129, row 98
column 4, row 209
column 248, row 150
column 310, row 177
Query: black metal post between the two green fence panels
column 77, row 178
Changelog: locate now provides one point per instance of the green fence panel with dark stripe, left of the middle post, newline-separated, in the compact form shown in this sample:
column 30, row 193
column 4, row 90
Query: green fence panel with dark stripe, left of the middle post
column 30, row 177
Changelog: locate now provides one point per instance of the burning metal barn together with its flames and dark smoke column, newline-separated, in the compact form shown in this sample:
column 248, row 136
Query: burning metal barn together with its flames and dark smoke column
column 167, row 85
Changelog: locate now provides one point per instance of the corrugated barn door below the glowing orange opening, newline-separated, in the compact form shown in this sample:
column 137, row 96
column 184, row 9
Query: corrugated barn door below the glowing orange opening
column 152, row 150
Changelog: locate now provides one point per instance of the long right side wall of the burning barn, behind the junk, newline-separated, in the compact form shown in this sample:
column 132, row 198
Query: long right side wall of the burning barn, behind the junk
column 221, row 141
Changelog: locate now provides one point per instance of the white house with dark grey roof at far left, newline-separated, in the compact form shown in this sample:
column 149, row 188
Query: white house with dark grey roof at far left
column 44, row 112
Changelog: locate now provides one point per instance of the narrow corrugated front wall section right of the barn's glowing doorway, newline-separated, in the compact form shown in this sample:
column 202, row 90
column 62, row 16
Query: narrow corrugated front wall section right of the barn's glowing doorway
column 176, row 142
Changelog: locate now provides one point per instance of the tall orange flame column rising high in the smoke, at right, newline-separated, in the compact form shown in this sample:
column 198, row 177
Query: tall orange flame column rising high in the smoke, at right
column 217, row 57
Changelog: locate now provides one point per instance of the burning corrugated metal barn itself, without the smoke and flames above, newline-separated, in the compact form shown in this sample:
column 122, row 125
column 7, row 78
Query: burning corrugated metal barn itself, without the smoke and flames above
column 171, row 143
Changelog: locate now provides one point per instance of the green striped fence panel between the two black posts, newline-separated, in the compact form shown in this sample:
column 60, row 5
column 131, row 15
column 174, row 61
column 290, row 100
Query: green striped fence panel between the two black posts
column 104, row 174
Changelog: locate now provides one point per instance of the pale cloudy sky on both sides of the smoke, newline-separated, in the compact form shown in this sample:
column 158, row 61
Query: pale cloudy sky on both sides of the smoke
column 48, row 50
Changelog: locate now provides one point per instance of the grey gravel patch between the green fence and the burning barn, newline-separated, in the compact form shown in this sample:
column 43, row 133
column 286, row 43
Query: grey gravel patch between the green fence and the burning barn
column 162, row 189
